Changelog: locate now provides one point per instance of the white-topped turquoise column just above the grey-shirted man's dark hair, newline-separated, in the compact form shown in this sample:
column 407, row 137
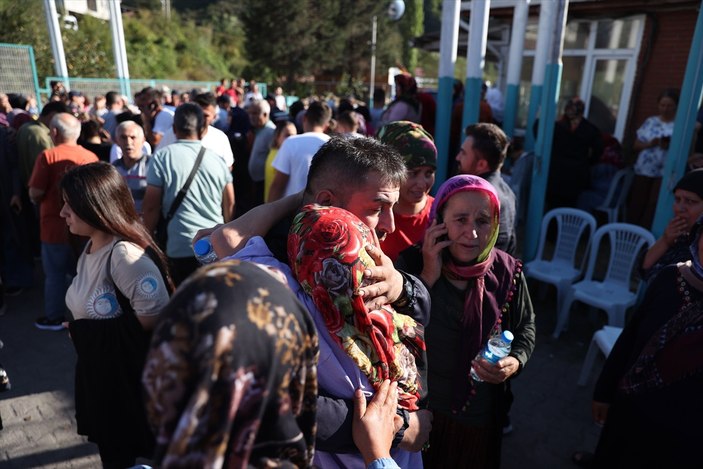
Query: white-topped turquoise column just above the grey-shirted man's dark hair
column 475, row 59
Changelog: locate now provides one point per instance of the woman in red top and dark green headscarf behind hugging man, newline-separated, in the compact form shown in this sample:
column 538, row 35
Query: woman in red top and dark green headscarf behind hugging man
column 412, row 211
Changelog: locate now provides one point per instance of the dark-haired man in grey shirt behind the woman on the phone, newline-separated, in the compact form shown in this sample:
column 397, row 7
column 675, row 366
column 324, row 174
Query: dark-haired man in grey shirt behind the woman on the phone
column 482, row 154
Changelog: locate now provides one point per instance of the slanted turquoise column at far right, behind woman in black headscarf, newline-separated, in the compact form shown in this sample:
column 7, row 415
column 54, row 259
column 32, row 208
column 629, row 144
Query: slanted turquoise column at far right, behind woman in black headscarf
column 684, row 125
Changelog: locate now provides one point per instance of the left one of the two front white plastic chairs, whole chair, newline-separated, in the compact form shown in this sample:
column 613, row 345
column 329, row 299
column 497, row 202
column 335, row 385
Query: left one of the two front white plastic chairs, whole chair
column 561, row 270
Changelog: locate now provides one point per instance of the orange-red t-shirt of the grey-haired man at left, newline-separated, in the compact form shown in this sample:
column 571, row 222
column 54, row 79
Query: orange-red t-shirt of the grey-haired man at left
column 48, row 170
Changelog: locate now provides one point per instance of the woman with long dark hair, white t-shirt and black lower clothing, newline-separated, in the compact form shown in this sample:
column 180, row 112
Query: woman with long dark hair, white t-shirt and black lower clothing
column 115, row 299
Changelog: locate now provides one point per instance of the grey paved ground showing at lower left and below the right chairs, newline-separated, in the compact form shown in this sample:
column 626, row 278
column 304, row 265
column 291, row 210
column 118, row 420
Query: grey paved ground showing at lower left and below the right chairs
column 551, row 415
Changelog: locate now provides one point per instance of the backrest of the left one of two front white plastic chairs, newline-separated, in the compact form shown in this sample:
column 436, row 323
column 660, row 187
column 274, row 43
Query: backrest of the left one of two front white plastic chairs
column 571, row 225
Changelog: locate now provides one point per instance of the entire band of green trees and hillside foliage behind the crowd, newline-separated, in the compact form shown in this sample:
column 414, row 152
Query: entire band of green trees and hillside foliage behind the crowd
column 290, row 42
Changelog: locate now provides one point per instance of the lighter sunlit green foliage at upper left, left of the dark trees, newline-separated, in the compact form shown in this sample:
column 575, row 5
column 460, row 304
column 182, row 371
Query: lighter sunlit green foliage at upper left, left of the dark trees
column 156, row 47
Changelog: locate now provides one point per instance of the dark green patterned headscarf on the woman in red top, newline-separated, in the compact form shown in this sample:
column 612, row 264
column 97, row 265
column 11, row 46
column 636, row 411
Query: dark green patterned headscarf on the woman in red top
column 412, row 141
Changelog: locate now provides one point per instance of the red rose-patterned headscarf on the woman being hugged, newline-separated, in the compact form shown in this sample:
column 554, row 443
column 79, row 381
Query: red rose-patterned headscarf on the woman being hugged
column 327, row 252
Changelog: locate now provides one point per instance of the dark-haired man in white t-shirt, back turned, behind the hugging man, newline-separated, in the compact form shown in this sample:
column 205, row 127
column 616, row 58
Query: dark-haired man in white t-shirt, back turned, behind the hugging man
column 292, row 162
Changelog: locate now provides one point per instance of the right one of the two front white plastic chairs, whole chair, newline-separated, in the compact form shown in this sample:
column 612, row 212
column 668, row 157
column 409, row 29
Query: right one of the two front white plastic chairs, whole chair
column 612, row 294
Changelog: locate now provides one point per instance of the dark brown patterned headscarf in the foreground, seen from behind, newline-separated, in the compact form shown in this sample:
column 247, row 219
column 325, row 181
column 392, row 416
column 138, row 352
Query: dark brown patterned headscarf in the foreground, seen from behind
column 230, row 377
